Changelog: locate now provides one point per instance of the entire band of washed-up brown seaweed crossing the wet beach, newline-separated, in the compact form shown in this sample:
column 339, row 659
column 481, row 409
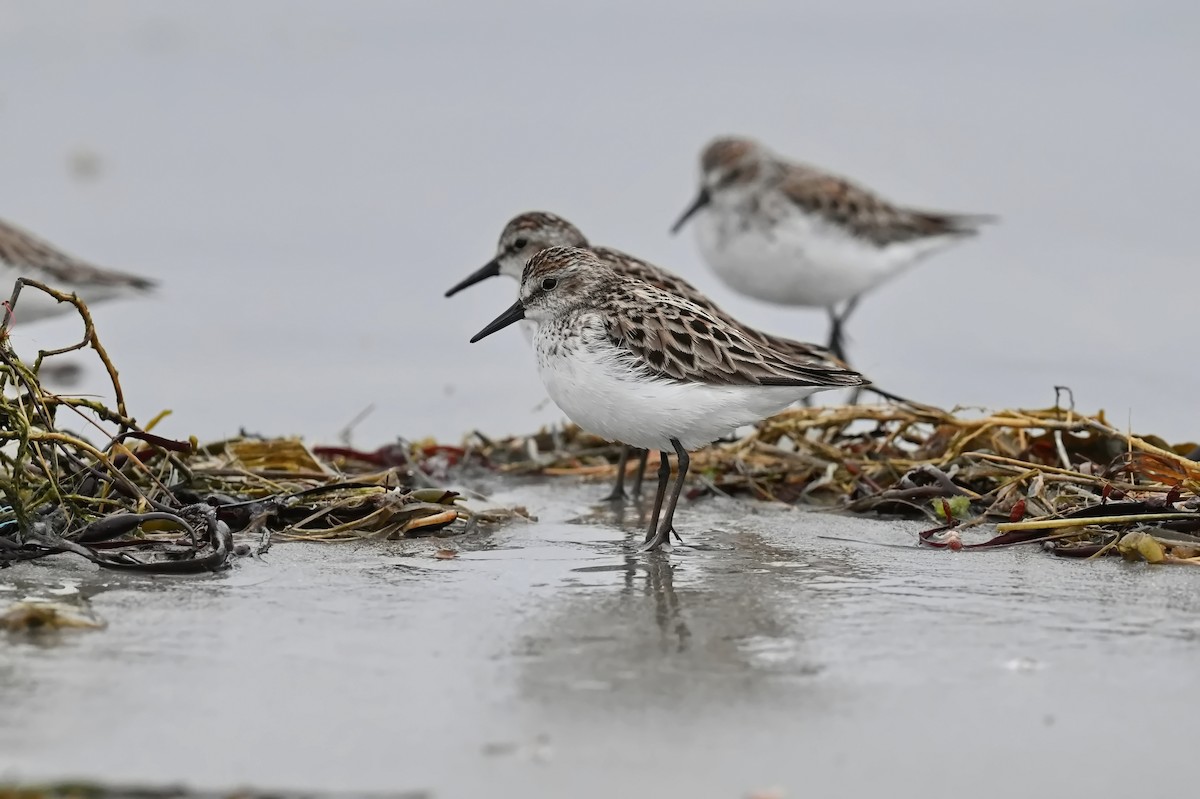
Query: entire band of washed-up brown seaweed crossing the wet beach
column 81, row 477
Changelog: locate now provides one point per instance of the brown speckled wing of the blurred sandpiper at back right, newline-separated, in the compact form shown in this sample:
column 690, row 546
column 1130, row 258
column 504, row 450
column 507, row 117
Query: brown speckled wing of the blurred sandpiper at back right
column 866, row 214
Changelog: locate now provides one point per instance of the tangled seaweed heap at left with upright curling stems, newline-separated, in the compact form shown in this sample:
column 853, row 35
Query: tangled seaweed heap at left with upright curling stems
column 81, row 477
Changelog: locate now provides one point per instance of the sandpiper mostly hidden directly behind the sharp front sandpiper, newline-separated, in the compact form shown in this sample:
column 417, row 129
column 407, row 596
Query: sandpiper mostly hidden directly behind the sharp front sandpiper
column 530, row 233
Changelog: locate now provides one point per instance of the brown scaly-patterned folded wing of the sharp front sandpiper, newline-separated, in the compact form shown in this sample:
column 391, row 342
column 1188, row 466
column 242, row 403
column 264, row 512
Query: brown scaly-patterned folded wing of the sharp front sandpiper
column 671, row 338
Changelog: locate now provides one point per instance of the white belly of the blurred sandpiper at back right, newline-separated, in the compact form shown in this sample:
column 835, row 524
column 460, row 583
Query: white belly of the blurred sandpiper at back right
column 800, row 260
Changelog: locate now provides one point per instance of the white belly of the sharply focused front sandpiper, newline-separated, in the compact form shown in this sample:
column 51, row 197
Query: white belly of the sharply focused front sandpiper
column 603, row 398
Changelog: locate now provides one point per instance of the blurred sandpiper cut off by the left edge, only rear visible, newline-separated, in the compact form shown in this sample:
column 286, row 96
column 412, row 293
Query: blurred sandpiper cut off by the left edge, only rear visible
column 23, row 255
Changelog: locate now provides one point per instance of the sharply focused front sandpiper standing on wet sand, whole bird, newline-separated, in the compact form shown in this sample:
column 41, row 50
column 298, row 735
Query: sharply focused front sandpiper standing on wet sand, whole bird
column 640, row 365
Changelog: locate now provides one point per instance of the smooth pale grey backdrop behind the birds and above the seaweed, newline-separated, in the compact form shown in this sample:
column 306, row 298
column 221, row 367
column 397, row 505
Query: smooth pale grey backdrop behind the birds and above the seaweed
column 308, row 178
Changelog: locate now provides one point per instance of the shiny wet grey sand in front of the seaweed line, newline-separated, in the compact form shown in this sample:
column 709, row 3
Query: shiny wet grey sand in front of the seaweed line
column 553, row 659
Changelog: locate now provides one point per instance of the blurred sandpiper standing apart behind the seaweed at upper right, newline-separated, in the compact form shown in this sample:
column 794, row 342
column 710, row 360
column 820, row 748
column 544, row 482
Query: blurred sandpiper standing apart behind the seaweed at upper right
column 790, row 235
